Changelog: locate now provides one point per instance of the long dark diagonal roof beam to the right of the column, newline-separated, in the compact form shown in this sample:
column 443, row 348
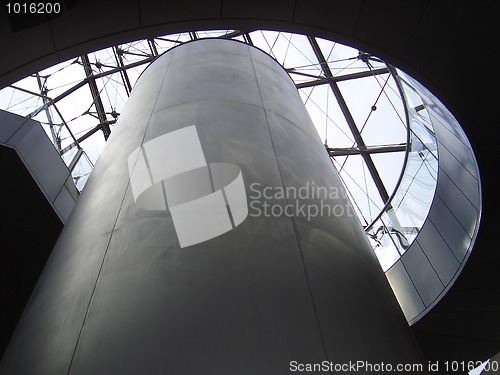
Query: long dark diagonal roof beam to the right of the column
column 350, row 120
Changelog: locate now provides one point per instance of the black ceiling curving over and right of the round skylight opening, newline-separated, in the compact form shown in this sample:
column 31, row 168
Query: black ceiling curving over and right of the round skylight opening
column 447, row 45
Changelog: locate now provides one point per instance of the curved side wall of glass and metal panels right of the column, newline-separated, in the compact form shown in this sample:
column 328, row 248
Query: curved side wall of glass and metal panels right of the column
column 426, row 232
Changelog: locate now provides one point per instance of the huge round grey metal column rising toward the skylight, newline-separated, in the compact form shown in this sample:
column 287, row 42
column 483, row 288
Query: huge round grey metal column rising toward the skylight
column 213, row 237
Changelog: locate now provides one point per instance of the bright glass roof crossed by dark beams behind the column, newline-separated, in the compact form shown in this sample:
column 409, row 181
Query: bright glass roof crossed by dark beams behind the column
column 351, row 97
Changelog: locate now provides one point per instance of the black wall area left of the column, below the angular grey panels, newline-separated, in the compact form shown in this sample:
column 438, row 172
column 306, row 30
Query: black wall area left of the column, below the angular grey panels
column 29, row 228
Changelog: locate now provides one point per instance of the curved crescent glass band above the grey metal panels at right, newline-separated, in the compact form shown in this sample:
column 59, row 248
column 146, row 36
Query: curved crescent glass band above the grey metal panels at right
column 403, row 218
